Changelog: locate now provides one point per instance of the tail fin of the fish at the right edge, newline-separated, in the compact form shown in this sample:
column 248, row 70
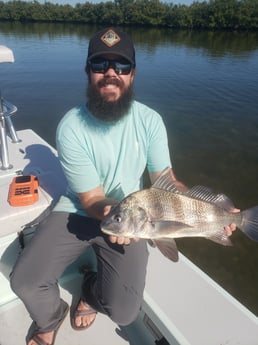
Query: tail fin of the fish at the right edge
column 249, row 223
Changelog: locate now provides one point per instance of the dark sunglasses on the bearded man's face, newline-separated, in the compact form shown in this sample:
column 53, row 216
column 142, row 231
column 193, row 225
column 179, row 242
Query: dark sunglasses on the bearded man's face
column 101, row 66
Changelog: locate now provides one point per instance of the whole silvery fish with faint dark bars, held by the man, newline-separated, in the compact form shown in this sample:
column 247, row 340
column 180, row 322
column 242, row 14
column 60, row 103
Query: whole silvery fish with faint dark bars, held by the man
column 162, row 213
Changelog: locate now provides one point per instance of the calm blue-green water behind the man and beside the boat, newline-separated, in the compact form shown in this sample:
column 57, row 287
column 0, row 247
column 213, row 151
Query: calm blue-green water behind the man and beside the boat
column 205, row 86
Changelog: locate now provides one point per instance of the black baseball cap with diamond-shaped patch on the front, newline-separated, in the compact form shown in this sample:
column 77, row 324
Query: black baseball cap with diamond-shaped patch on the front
column 111, row 41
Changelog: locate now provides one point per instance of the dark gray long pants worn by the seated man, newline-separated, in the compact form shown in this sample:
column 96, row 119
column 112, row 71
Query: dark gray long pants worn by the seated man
column 115, row 290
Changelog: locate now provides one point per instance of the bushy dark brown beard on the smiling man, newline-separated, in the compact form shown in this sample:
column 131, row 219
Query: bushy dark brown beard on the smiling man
column 109, row 111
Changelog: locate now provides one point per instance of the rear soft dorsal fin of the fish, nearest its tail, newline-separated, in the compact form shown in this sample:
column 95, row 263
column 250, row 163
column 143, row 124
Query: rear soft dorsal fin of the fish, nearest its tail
column 206, row 194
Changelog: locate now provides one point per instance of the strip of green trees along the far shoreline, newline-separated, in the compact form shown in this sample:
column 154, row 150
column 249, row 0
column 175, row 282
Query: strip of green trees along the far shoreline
column 212, row 14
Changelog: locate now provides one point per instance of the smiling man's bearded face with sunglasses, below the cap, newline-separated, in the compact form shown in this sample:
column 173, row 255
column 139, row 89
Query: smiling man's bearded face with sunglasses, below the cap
column 110, row 91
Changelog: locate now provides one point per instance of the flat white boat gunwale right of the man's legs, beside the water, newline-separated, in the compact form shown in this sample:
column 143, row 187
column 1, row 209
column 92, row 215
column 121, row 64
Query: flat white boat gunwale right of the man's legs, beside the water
column 194, row 308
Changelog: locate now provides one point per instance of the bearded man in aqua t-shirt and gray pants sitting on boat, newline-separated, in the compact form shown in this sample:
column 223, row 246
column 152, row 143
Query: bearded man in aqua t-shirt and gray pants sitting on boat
column 104, row 147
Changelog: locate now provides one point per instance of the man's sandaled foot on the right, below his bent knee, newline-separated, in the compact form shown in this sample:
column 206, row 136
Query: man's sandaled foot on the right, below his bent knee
column 83, row 317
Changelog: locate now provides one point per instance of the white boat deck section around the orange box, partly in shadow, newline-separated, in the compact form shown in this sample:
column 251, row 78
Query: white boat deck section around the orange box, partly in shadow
column 33, row 156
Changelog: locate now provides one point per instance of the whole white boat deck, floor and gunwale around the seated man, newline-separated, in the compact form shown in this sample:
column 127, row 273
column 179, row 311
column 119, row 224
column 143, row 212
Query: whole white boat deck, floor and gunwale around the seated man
column 182, row 305
